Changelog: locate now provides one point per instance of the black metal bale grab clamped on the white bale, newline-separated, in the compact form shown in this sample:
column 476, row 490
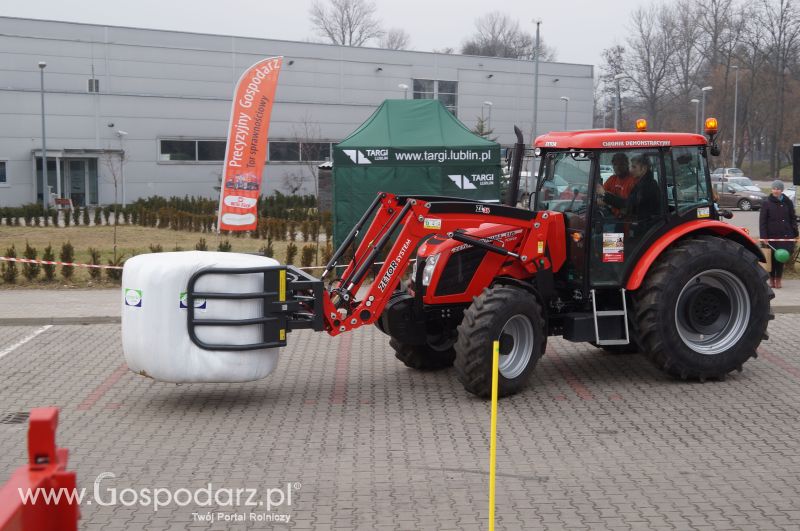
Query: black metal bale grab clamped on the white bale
column 290, row 298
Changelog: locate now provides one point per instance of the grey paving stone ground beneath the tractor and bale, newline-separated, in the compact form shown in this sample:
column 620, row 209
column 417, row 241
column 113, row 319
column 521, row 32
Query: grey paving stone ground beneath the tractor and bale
column 597, row 441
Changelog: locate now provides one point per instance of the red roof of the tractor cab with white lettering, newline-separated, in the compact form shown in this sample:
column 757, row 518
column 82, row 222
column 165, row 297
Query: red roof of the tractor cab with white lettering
column 613, row 139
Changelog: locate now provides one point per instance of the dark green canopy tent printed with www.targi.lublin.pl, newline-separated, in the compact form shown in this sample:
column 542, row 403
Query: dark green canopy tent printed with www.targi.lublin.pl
column 410, row 147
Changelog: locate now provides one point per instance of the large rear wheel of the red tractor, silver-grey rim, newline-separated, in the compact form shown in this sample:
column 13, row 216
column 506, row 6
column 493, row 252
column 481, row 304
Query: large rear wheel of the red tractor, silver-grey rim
column 704, row 308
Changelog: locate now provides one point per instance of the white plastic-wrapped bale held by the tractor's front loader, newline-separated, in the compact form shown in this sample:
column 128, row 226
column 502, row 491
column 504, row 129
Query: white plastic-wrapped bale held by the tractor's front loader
column 155, row 337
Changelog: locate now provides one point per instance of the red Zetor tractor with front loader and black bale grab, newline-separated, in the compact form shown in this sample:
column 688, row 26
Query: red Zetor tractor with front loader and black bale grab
column 621, row 246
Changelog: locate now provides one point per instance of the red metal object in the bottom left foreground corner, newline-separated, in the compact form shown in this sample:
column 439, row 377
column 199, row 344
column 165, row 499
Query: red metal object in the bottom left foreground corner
column 45, row 471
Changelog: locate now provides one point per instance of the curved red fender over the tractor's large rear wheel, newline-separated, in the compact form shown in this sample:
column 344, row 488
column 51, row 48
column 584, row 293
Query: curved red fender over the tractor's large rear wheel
column 712, row 227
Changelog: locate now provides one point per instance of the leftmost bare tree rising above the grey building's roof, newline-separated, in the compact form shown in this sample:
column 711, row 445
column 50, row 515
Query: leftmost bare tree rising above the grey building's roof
column 346, row 22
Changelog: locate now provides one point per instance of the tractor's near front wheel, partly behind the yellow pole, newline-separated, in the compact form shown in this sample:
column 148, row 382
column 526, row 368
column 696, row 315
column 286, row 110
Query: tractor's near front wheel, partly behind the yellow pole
column 511, row 316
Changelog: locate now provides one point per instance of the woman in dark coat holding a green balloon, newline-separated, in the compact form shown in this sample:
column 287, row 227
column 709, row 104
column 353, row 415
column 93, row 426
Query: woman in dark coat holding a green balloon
column 777, row 221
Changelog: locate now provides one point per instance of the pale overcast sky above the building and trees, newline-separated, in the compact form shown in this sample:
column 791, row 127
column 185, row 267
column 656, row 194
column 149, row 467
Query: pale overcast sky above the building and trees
column 578, row 29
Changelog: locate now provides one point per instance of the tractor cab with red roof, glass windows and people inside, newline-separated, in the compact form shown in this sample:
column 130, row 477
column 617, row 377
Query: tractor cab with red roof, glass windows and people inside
column 619, row 192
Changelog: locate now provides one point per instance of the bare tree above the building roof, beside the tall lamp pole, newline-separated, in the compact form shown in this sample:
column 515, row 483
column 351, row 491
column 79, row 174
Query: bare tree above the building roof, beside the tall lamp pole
column 497, row 35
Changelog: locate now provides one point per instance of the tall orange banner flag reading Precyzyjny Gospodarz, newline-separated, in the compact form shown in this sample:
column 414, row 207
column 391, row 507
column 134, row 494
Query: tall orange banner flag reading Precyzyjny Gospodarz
column 246, row 151
